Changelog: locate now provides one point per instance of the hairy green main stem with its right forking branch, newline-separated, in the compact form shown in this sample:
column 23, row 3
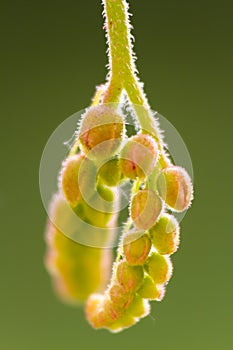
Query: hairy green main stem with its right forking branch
column 122, row 67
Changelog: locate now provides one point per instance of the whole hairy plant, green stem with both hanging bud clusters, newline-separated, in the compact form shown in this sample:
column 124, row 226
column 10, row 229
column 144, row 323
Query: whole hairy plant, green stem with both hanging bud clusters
column 105, row 155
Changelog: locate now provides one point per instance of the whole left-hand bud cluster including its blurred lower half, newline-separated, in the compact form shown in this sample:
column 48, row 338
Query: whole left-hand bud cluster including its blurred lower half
column 78, row 270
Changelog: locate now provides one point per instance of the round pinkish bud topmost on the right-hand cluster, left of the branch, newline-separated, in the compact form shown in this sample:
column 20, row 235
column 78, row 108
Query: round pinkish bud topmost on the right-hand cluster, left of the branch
column 139, row 156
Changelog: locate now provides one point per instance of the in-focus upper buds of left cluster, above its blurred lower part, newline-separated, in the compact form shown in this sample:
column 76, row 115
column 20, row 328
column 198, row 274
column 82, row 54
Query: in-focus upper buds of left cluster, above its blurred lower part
column 84, row 179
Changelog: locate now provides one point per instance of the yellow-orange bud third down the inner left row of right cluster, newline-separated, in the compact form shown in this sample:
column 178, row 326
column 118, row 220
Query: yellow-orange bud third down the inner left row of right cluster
column 136, row 248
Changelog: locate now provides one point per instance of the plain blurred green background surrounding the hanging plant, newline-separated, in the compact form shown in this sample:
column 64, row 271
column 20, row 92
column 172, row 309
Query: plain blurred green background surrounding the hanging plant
column 52, row 56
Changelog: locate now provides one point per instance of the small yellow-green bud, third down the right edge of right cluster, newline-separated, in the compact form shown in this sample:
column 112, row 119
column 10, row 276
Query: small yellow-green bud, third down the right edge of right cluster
column 159, row 268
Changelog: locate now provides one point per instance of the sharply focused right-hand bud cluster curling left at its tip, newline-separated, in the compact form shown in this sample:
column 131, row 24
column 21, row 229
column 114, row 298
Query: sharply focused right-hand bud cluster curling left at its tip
column 144, row 267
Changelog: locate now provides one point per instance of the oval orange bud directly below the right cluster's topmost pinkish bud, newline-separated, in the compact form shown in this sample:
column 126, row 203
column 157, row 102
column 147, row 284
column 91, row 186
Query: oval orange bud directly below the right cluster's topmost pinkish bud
column 145, row 209
